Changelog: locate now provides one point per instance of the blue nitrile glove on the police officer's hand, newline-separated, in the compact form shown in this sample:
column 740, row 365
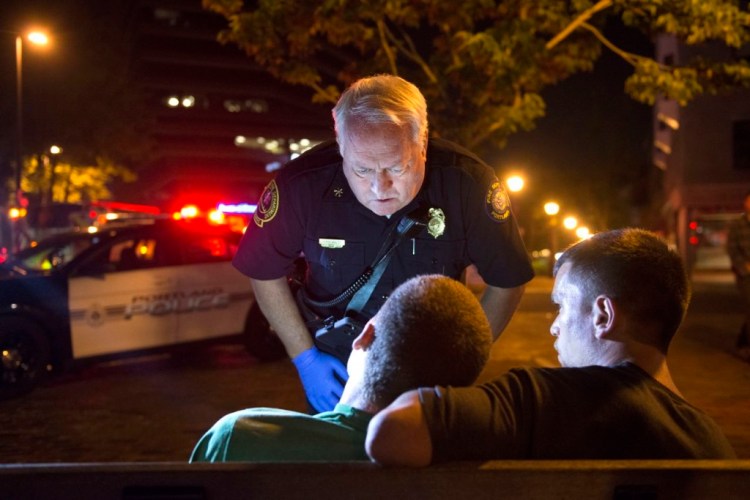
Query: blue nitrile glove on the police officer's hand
column 322, row 376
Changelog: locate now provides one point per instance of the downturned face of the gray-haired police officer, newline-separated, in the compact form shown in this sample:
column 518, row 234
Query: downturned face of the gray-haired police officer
column 385, row 170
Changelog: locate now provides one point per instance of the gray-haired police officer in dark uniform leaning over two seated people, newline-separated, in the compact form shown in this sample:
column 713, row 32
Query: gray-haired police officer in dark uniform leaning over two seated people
column 338, row 202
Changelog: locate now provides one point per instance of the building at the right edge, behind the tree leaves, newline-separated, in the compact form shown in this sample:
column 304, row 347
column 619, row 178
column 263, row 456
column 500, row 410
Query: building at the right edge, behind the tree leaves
column 703, row 152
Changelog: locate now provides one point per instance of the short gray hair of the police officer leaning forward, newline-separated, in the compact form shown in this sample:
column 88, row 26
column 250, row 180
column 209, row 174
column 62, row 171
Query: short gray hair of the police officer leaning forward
column 378, row 100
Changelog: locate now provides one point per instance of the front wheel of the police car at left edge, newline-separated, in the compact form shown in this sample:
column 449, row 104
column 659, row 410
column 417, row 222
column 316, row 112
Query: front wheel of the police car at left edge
column 24, row 355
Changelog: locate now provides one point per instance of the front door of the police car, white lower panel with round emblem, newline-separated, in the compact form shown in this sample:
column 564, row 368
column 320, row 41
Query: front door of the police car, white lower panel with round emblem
column 125, row 297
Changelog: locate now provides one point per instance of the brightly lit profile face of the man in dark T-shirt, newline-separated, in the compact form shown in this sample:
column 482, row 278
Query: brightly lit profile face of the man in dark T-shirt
column 573, row 328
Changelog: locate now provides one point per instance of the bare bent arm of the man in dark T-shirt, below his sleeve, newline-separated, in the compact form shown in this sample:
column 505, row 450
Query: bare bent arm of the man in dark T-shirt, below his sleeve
column 398, row 434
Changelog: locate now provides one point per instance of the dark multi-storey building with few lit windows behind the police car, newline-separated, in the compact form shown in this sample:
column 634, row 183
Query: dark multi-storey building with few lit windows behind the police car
column 222, row 124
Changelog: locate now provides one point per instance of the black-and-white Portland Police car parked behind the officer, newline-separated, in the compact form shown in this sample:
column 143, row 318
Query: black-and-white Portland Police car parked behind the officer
column 119, row 290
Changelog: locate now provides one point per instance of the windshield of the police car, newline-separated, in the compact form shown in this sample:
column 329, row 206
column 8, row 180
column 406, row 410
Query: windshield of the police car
column 54, row 252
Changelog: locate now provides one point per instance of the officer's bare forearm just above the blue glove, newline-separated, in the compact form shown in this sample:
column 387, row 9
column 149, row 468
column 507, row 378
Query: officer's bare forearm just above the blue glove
column 276, row 301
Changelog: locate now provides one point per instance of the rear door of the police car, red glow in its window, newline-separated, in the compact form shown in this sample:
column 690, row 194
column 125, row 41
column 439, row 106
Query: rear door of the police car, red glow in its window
column 216, row 297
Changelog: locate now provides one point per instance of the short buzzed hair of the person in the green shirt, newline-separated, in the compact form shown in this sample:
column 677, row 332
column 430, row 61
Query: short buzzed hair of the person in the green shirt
column 431, row 331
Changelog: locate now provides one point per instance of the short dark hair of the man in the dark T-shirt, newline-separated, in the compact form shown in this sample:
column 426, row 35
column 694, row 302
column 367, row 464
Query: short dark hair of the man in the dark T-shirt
column 637, row 269
